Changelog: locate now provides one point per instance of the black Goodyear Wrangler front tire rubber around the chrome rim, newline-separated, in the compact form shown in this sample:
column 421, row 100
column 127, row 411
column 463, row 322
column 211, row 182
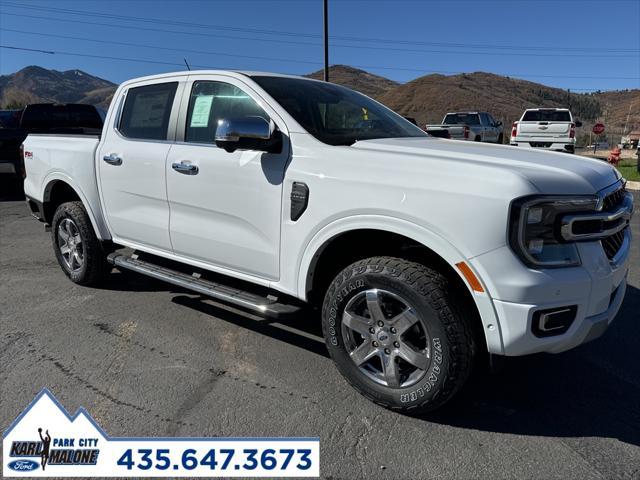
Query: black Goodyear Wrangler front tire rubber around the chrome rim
column 428, row 293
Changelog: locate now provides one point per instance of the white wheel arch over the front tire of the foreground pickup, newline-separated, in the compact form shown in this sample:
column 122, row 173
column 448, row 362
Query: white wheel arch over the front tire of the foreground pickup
column 334, row 247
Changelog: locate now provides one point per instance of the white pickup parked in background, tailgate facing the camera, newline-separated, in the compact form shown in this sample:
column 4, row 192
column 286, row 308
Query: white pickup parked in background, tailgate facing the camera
column 546, row 128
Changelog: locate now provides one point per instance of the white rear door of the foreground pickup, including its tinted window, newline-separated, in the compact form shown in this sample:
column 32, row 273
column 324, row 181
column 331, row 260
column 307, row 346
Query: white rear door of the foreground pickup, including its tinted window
column 131, row 164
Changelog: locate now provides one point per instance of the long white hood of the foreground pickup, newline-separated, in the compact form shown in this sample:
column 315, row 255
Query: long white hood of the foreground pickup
column 549, row 172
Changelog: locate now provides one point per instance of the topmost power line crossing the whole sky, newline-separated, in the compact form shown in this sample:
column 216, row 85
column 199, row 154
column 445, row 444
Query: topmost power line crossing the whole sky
column 308, row 35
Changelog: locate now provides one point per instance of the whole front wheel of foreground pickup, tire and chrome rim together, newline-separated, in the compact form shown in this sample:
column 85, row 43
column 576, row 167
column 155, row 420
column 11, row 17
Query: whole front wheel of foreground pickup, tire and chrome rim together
column 395, row 333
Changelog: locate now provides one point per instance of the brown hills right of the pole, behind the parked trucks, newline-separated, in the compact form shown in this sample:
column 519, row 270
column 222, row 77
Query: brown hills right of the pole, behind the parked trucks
column 428, row 98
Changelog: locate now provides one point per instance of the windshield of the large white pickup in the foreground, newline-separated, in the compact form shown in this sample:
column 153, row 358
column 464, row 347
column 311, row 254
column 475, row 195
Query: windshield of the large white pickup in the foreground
column 336, row 115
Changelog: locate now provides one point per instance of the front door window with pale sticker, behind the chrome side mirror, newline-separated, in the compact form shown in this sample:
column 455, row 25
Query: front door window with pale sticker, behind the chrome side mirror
column 214, row 101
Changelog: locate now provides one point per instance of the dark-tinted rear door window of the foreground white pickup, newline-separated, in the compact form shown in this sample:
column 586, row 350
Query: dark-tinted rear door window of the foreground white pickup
column 147, row 110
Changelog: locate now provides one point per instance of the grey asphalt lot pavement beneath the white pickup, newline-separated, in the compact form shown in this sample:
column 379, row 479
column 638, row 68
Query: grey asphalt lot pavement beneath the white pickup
column 146, row 359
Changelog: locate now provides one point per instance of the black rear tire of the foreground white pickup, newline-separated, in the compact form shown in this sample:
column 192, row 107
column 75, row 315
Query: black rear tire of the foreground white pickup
column 93, row 267
